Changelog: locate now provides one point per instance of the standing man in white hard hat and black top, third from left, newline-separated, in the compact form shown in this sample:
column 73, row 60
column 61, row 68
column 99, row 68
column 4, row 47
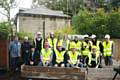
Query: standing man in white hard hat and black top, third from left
column 38, row 41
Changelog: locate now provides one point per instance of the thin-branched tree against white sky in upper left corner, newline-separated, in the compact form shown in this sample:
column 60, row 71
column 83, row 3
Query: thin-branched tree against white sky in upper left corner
column 7, row 5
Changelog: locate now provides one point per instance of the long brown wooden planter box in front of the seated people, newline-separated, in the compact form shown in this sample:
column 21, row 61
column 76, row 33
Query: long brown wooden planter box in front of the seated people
column 52, row 73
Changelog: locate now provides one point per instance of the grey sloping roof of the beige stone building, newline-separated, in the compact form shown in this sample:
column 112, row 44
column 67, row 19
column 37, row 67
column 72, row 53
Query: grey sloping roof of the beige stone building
column 44, row 11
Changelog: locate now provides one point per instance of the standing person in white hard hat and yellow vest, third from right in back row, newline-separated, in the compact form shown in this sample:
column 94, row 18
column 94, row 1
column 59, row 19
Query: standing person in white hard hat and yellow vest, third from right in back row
column 86, row 47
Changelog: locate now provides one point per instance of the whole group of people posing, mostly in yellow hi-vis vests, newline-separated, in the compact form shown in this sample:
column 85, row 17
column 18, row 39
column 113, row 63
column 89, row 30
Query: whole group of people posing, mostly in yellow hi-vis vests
column 62, row 51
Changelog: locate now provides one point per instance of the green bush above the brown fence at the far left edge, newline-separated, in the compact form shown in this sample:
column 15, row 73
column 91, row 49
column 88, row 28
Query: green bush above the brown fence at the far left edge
column 5, row 30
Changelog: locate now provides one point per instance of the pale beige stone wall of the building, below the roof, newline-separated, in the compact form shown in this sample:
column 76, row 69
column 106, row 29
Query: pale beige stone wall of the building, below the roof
column 34, row 24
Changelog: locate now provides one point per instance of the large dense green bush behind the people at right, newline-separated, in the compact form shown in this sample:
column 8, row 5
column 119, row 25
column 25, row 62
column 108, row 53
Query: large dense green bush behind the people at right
column 99, row 23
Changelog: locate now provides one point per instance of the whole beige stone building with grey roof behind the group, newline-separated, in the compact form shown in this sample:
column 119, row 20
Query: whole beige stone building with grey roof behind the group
column 41, row 19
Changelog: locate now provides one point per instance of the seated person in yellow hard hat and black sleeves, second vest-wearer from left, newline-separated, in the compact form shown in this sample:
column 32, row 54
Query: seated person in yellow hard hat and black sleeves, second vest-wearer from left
column 59, row 55
